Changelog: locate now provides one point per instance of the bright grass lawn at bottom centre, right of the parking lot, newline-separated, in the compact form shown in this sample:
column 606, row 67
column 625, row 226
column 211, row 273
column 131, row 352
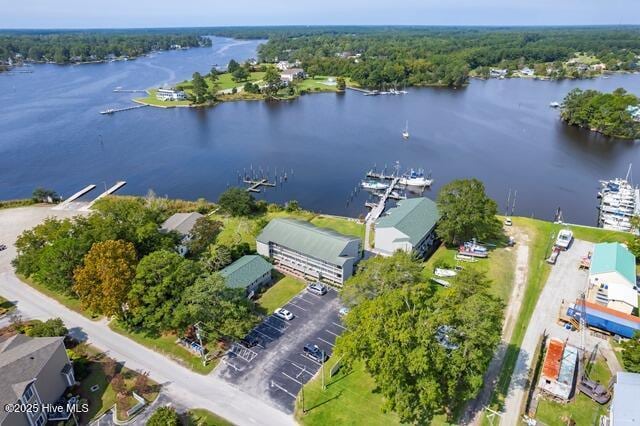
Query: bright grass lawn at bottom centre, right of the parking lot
column 349, row 399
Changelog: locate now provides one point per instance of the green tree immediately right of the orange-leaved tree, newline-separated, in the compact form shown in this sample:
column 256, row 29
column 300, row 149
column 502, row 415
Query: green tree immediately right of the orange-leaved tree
column 161, row 278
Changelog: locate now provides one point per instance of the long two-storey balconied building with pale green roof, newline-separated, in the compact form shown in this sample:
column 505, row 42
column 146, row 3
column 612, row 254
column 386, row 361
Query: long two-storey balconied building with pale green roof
column 302, row 249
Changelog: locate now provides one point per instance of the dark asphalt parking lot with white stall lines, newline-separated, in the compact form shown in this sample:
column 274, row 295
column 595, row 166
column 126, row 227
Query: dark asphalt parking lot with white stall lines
column 275, row 370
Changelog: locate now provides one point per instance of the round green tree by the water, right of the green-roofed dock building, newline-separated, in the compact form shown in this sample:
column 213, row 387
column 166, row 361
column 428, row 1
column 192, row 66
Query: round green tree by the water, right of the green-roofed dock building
column 466, row 212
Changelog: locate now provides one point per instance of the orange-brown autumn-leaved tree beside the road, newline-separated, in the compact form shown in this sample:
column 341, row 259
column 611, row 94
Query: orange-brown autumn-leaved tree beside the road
column 104, row 280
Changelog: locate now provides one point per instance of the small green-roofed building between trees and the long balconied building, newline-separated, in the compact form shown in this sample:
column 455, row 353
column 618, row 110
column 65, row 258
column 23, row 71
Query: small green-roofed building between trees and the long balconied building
column 250, row 273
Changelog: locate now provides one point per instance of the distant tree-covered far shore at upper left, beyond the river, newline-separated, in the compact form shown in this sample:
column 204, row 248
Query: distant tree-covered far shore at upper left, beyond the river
column 82, row 46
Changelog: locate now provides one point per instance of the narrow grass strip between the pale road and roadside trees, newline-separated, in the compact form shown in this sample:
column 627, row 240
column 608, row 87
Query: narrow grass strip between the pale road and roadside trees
column 166, row 345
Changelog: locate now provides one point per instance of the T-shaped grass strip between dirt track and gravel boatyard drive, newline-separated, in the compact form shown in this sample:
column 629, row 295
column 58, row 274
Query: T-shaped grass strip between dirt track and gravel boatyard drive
column 540, row 240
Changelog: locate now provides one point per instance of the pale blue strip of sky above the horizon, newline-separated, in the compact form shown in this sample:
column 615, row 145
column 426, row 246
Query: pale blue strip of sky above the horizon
column 163, row 13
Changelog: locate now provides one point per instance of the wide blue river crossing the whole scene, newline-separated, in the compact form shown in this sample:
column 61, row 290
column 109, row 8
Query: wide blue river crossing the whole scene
column 500, row 131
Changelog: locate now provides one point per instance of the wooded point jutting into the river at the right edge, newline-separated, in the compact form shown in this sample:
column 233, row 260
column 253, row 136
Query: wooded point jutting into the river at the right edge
column 606, row 113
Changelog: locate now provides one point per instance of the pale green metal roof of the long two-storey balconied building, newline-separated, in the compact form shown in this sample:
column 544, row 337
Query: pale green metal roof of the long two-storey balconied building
column 308, row 239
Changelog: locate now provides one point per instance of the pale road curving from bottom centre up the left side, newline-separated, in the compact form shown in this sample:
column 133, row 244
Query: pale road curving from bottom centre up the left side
column 180, row 384
